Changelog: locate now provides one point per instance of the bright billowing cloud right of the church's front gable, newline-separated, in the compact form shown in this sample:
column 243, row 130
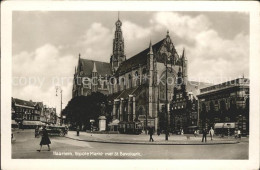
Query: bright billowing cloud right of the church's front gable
column 210, row 56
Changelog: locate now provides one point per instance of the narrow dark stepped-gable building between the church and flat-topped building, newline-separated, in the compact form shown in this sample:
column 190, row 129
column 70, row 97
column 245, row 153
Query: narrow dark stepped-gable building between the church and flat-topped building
column 184, row 104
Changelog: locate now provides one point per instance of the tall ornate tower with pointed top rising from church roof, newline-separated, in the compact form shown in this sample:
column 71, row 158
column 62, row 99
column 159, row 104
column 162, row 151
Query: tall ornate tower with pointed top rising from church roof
column 118, row 55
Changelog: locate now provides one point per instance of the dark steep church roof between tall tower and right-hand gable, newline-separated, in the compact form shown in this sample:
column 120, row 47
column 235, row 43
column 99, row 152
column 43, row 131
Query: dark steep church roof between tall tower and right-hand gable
column 139, row 58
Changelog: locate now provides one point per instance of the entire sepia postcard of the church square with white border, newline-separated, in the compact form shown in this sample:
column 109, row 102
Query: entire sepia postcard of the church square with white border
column 124, row 84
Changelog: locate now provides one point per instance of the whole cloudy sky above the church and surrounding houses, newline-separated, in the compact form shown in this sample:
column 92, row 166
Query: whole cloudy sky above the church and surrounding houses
column 46, row 45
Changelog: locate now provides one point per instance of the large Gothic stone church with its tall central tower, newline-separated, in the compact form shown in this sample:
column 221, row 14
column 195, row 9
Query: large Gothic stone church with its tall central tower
column 135, row 86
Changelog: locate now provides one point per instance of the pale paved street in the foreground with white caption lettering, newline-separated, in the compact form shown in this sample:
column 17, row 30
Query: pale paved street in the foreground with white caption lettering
column 26, row 145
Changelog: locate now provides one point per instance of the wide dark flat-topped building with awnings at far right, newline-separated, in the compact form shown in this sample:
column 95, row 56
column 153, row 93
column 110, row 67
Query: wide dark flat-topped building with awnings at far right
column 227, row 102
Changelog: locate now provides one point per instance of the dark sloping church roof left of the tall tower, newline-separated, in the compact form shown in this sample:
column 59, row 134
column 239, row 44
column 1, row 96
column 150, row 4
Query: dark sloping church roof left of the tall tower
column 102, row 68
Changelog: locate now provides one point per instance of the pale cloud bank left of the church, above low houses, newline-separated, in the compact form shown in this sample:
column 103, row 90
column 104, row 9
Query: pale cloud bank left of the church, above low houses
column 45, row 68
